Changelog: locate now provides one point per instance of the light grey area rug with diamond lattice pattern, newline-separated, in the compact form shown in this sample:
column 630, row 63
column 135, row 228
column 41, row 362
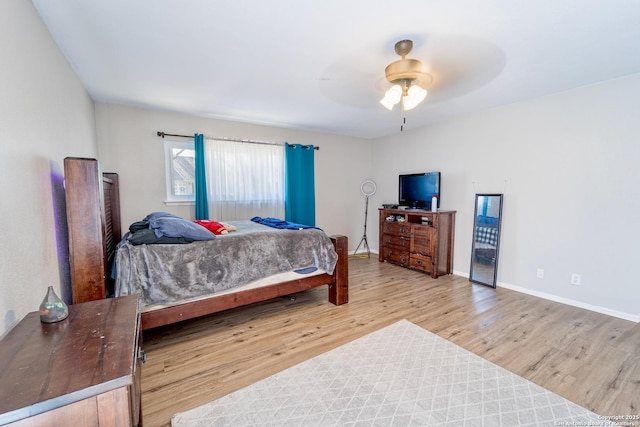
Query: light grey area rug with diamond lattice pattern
column 401, row 375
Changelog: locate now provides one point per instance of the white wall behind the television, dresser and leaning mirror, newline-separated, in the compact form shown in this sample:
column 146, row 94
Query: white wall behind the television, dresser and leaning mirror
column 568, row 167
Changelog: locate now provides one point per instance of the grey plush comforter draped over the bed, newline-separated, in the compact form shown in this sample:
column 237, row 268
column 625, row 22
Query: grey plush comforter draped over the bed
column 166, row 274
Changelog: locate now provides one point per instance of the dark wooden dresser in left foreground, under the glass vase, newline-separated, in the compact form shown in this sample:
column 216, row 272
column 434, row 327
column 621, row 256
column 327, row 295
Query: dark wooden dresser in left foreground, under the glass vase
column 81, row 371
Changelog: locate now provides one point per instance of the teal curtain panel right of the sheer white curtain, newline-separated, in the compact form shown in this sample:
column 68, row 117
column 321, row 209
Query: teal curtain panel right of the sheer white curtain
column 299, row 198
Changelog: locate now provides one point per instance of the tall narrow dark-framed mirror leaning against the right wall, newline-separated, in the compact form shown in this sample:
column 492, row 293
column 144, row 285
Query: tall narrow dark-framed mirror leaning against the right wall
column 486, row 239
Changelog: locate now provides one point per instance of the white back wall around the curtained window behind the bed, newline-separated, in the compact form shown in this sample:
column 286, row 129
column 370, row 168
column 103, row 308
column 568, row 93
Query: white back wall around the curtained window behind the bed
column 129, row 145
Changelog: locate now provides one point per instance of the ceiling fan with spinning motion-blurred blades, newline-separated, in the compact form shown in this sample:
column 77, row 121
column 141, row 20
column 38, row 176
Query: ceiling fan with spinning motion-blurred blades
column 452, row 66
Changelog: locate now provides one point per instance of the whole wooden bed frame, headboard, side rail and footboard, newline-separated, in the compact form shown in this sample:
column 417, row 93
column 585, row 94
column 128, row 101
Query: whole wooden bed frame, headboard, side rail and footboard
column 93, row 217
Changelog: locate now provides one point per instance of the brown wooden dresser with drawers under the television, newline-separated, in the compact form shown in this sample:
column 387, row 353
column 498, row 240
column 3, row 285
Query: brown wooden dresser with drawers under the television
column 418, row 239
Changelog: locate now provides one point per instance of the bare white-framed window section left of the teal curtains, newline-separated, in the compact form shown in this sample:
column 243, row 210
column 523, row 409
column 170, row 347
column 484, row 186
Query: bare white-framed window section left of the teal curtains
column 180, row 171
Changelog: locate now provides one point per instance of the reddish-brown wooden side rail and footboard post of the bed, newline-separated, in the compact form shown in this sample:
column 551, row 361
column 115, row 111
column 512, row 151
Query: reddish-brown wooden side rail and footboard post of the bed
column 338, row 293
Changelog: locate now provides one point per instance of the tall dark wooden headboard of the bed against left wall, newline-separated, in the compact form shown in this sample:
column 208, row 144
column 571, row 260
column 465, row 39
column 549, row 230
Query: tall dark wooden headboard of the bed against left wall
column 93, row 219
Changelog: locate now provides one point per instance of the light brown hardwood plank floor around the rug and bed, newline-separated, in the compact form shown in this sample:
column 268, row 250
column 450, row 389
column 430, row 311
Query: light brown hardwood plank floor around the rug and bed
column 589, row 358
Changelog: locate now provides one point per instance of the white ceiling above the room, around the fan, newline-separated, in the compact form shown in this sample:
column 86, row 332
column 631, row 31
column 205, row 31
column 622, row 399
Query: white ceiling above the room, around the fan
column 319, row 65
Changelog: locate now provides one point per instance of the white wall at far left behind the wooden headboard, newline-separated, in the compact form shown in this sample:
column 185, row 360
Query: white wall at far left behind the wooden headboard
column 45, row 115
